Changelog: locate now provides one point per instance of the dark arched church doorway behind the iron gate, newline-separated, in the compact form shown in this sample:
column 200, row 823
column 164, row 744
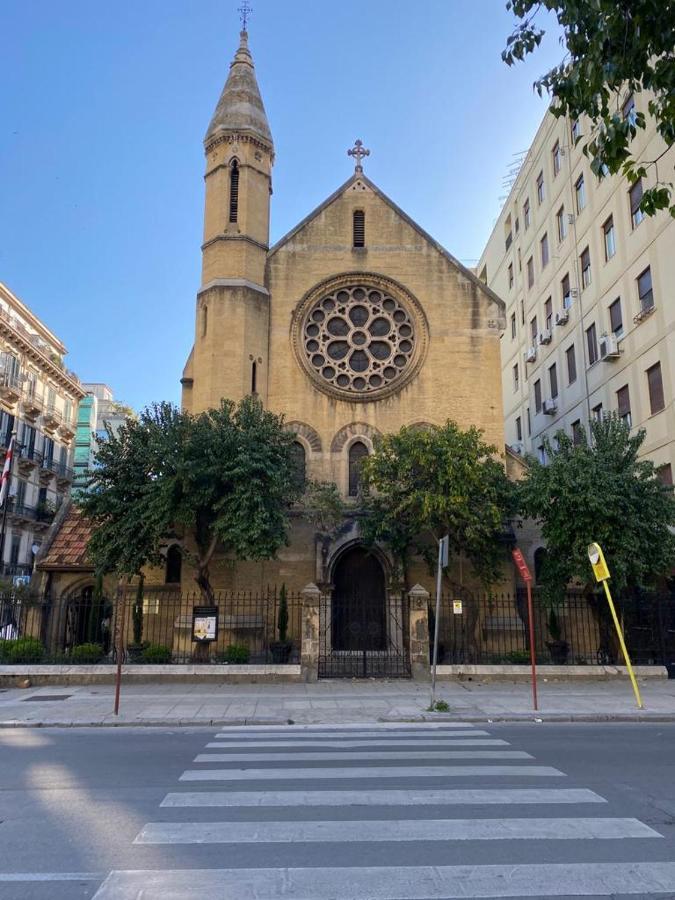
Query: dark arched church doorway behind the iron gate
column 359, row 602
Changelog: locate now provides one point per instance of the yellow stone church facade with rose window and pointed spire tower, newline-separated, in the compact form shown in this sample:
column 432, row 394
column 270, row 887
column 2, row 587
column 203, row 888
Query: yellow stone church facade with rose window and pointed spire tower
column 352, row 325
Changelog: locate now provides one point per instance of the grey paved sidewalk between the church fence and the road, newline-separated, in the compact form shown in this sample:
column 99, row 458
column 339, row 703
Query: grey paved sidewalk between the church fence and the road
column 330, row 702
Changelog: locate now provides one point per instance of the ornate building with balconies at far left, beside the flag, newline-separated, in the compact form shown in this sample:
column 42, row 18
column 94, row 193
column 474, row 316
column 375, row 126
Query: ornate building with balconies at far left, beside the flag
column 38, row 402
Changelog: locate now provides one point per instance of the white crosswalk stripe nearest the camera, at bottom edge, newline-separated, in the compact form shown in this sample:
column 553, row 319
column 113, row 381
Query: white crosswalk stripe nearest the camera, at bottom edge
column 402, row 882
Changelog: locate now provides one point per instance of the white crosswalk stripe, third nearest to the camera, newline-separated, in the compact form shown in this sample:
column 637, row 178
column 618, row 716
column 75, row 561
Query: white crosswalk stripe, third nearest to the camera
column 420, row 797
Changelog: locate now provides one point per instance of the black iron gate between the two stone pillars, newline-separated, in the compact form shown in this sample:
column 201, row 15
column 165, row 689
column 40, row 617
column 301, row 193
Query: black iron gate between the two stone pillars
column 363, row 636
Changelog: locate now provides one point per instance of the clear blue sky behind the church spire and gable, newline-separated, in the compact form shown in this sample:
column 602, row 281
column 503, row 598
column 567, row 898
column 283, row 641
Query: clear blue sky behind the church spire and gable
column 103, row 108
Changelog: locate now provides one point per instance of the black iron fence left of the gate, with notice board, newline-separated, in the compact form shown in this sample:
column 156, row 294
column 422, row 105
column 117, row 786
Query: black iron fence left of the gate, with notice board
column 162, row 626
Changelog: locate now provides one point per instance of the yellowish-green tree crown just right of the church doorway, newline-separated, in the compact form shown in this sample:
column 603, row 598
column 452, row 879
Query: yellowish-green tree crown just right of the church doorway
column 425, row 483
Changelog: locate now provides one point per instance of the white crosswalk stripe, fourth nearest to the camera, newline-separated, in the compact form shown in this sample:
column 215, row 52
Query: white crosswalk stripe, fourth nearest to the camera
column 345, row 773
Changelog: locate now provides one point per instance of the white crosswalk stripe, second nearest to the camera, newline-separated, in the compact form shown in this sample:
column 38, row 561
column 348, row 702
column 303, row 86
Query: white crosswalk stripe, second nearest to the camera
column 373, row 831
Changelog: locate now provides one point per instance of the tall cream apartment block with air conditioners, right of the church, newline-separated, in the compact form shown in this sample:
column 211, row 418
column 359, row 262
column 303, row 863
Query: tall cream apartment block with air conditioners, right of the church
column 588, row 281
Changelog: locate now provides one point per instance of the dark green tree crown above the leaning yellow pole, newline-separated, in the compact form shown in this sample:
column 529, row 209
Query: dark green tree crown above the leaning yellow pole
column 600, row 491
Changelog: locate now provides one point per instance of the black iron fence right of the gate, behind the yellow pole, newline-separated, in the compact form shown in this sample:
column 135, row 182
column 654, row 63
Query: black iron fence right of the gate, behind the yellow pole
column 493, row 629
